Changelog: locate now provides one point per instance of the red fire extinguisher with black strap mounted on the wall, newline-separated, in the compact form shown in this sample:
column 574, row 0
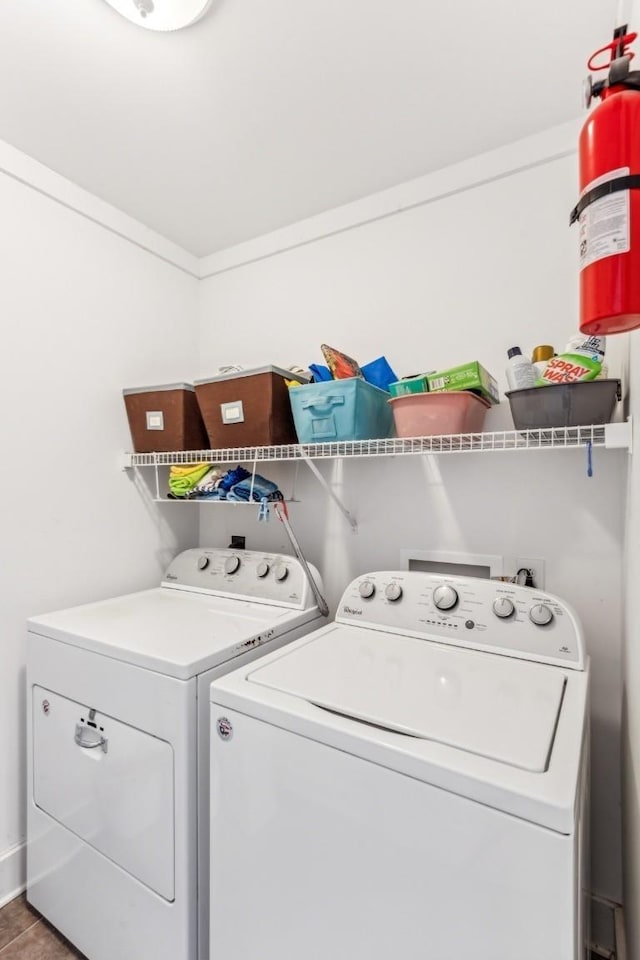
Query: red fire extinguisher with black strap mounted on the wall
column 608, row 211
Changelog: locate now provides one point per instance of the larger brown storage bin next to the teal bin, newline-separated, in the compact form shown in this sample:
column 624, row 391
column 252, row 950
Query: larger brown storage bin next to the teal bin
column 248, row 408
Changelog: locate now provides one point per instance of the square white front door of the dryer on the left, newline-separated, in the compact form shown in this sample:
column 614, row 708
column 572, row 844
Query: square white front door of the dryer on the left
column 107, row 782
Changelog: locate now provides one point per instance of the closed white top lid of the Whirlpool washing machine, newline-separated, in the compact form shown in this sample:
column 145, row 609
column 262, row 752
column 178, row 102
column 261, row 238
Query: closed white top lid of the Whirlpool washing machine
column 501, row 709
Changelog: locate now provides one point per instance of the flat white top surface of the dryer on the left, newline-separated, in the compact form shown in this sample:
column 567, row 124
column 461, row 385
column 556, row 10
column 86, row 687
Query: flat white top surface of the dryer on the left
column 174, row 632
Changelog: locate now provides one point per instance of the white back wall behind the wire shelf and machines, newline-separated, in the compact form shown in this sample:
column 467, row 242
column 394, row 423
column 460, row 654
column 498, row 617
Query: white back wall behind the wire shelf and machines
column 480, row 258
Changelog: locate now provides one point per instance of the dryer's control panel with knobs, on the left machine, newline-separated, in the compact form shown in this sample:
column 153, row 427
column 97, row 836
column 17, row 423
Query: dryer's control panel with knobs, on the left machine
column 243, row 575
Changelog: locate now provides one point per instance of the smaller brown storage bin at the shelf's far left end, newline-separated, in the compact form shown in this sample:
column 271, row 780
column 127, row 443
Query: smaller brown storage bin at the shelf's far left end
column 165, row 418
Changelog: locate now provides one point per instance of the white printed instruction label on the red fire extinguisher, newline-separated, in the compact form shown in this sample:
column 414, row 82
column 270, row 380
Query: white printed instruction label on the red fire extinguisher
column 604, row 224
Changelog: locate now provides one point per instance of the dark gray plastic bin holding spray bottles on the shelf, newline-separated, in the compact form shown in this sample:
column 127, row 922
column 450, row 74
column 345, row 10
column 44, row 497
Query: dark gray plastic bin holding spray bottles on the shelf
column 564, row 404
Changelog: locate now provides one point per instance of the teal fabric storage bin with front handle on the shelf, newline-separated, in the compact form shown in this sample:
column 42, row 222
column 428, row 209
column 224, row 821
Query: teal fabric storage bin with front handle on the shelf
column 341, row 410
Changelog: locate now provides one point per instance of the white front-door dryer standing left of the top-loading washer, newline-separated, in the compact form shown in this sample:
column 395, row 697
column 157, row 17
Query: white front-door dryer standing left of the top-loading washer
column 118, row 743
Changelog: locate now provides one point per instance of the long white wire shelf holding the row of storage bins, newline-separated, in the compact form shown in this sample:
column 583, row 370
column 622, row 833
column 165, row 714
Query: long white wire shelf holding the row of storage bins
column 611, row 435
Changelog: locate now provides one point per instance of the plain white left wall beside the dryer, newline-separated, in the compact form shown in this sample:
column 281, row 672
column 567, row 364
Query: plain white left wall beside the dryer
column 84, row 312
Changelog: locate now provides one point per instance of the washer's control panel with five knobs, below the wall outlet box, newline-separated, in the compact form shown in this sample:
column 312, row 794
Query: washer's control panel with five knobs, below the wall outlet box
column 488, row 615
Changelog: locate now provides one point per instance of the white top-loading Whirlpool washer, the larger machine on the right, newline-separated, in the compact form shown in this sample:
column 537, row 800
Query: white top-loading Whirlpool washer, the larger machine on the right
column 409, row 781
